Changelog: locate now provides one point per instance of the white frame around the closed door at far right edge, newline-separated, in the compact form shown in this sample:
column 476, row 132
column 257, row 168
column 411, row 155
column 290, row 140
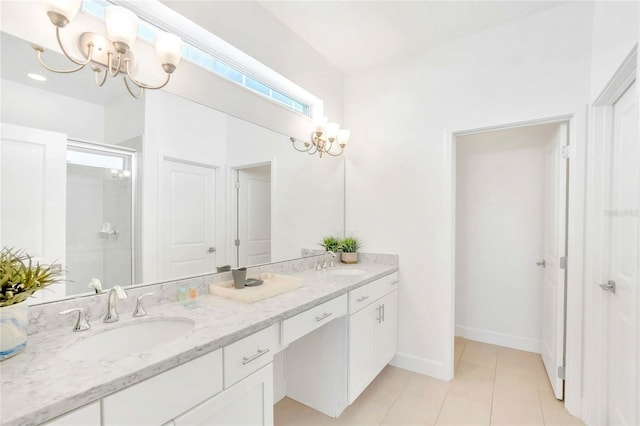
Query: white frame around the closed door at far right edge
column 601, row 132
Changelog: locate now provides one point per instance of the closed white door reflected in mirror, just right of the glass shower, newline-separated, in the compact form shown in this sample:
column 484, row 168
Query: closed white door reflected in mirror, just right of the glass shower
column 187, row 219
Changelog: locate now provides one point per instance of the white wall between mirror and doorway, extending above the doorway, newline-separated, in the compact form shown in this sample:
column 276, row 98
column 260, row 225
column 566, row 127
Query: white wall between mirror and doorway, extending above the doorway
column 399, row 116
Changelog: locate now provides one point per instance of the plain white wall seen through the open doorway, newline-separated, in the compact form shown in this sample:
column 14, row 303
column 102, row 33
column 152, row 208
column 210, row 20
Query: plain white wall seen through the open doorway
column 499, row 236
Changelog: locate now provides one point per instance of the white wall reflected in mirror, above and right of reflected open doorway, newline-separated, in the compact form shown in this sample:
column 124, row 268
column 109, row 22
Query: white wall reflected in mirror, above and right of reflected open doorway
column 307, row 192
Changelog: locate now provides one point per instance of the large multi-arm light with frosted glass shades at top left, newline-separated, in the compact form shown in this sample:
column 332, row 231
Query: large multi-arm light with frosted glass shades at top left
column 111, row 56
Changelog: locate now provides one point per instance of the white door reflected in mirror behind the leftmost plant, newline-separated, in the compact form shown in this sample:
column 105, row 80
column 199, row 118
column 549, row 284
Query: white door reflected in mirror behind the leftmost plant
column 32, row 196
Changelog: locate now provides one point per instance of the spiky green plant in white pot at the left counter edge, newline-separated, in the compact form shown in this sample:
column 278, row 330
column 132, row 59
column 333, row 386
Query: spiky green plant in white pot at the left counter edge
column 19, row 279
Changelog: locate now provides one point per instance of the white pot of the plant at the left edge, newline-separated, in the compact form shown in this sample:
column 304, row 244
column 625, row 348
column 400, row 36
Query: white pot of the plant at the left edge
column 14, row 321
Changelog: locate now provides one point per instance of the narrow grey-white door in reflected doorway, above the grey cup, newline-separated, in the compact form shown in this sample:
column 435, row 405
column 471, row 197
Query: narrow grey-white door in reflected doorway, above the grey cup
column 253, row 209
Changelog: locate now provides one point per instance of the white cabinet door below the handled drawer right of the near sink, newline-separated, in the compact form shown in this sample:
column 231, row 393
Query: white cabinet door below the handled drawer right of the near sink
column 248, row 402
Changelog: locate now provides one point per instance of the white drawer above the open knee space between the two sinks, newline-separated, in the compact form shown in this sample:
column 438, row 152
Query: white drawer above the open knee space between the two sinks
column 307, row 321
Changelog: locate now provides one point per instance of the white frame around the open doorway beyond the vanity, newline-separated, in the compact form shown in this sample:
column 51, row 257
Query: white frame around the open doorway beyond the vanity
column 574, row 312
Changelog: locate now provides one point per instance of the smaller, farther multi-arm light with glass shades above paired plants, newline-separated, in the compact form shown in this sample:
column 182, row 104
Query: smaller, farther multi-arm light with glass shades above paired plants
column 326, row 138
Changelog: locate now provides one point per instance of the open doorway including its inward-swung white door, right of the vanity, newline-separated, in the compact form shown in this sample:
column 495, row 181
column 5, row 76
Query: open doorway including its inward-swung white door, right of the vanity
column 511, row 240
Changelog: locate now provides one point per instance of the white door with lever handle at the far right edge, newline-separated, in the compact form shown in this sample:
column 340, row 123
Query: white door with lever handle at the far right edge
column 622, row 269
